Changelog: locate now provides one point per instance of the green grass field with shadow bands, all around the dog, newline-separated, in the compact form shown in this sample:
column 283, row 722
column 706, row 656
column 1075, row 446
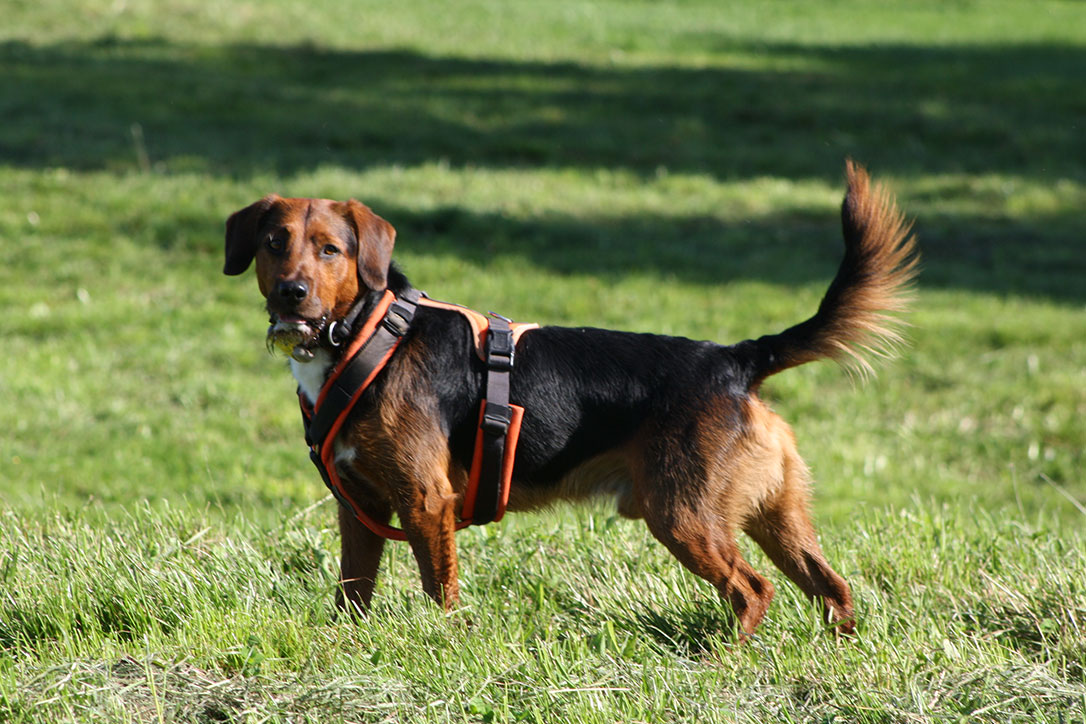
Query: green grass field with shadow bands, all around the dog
column 167, row 551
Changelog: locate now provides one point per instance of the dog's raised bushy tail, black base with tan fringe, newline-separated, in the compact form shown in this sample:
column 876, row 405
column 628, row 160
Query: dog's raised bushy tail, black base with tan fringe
column 854, row 322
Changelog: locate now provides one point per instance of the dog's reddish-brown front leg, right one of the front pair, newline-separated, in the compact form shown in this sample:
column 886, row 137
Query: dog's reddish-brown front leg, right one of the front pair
column 430, row 520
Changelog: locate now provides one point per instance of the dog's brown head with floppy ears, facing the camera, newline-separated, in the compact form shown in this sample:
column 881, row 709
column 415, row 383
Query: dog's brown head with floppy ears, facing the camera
column 314, row 258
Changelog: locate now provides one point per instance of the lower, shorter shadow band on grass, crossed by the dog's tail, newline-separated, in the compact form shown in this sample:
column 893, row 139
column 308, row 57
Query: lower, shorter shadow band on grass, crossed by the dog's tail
column 1022, row 258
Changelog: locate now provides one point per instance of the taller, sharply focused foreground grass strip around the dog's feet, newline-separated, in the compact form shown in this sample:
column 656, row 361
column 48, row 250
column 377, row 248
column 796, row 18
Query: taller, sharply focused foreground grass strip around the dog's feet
column 570, row 641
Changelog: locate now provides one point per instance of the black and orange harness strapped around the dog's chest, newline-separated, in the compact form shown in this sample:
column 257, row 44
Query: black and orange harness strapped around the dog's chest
column 496, row 339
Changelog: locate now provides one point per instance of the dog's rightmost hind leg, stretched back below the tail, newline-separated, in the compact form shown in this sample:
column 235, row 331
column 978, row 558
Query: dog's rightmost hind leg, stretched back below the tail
column 782, row 527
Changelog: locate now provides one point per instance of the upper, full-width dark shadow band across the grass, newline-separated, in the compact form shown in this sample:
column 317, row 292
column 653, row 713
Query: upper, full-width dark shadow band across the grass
column 800, row 111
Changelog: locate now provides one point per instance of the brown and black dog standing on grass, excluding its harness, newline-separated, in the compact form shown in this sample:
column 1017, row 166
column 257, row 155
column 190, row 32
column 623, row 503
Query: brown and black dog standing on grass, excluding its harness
column 673, row 428
